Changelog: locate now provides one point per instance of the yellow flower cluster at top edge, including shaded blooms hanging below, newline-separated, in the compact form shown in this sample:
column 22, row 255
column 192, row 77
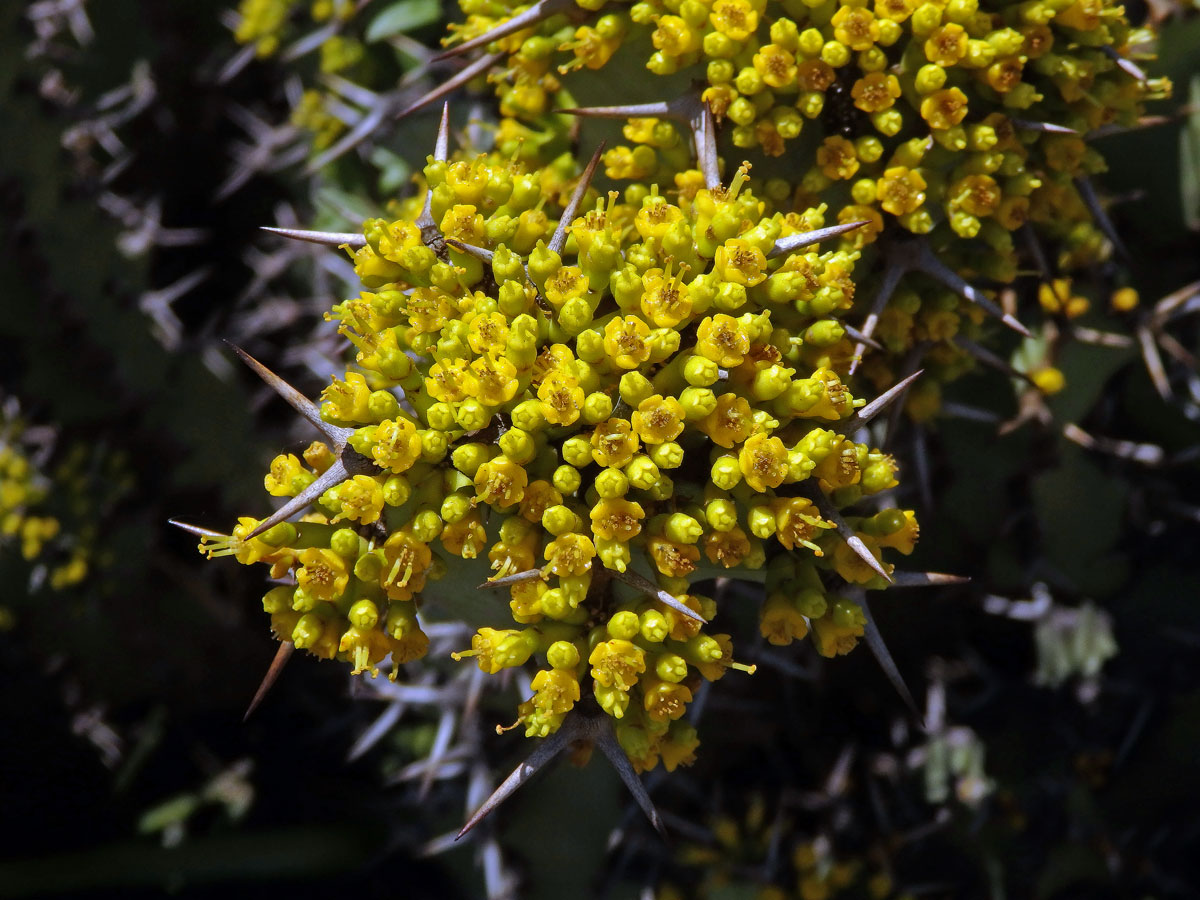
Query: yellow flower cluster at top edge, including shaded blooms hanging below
column 956, row 122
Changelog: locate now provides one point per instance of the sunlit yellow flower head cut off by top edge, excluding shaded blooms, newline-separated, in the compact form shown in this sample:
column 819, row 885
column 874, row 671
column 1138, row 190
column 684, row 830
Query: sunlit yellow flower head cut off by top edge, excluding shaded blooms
column 928, row 112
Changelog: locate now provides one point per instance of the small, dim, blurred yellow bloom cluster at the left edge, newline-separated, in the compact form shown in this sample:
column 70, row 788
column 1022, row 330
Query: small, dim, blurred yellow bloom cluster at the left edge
column 27, row 519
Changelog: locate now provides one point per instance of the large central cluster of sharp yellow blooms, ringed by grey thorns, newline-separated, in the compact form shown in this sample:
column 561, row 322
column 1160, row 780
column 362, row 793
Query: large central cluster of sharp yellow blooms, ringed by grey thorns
column 608, row 407
